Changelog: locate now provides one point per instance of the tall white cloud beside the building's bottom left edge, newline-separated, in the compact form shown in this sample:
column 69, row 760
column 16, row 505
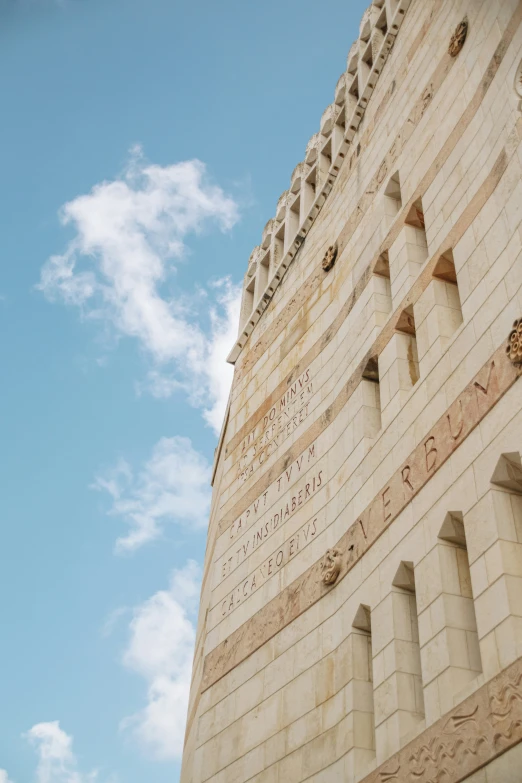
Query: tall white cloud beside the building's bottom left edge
column 160, row 649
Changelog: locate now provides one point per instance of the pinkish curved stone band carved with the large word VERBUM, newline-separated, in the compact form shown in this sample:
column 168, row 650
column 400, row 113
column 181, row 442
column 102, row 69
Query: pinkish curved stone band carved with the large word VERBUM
column 474, row 402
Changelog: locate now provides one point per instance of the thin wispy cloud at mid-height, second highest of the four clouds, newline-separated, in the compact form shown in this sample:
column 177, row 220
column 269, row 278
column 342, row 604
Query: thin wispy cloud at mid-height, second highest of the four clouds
column 173, row 486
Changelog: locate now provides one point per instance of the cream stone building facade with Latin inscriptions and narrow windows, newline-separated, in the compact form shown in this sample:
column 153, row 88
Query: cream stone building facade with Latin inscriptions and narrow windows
column 361, row 606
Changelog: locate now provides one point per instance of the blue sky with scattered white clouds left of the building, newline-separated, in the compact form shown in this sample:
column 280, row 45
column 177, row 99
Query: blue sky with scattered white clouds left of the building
column 144, row 144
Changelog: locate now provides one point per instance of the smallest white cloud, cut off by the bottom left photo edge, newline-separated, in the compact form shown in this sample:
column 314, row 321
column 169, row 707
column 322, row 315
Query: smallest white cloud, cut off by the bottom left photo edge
column 56, row 760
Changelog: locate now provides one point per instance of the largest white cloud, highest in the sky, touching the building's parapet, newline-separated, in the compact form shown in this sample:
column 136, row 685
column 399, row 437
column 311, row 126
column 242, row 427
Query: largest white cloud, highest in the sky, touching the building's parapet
column 120, row 268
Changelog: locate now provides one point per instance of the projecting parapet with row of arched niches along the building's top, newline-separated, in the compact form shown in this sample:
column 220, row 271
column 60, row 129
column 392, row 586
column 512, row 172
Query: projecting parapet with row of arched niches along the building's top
column 313, row 178
